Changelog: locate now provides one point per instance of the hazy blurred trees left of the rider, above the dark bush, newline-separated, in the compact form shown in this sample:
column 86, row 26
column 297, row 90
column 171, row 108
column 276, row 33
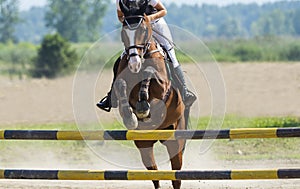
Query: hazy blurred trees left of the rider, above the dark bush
column 74, row 20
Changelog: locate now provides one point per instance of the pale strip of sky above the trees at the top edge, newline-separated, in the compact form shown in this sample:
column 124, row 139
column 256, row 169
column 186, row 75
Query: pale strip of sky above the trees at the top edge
column 26, row 4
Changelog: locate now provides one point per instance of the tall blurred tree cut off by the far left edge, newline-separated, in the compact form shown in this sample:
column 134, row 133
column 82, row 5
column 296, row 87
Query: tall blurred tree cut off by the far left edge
column 9, row 17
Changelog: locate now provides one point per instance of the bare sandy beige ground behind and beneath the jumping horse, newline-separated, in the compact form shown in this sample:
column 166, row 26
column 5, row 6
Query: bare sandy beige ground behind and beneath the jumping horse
column 257, row 89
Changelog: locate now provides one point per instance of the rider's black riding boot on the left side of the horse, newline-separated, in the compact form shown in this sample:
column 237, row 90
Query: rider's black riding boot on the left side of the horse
column 110, row 101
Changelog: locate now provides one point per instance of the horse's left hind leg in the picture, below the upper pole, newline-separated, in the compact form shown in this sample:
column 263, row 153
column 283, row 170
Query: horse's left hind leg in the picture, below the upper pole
column 147, row 154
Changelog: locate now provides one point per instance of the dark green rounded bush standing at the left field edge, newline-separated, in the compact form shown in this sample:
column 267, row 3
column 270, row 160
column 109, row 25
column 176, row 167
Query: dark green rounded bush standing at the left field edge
column 55, row 58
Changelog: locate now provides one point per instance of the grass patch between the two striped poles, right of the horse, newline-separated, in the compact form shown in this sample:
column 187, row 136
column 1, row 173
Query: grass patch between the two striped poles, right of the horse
column 257, row 149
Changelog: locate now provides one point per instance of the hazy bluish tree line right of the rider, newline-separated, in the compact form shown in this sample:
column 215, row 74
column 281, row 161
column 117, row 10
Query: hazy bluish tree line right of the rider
column 238, row 20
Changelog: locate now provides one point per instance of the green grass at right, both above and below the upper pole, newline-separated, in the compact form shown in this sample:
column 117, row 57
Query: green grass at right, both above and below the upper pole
column 256, row 149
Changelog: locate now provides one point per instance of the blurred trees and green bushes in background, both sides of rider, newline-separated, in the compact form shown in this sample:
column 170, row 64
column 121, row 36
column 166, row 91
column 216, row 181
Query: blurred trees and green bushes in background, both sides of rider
column 30, row 40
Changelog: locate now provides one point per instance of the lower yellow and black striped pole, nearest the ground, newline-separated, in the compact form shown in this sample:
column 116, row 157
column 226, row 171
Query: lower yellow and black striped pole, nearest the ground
column 150, row 175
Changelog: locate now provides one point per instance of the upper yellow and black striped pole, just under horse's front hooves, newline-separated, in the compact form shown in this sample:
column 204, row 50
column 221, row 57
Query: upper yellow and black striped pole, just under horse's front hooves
column 149, row 135
